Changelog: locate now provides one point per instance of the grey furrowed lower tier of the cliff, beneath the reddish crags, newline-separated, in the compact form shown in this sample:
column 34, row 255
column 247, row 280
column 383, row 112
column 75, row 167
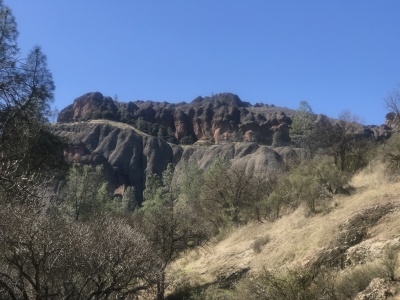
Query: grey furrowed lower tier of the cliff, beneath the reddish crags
column 129, row 155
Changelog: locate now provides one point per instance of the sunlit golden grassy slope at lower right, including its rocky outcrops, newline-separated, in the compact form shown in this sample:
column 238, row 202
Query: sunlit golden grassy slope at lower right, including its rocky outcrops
column 355, row 231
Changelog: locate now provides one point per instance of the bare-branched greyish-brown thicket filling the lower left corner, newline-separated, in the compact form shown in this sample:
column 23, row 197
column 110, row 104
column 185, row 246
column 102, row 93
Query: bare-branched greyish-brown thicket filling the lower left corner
column 44, row 257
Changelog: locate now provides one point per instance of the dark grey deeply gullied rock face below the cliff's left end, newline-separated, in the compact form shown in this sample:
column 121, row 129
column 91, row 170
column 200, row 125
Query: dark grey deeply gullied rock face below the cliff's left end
column 127, row 156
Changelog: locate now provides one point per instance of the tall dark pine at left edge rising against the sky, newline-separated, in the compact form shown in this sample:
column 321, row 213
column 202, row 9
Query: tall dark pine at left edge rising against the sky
column 27, row 147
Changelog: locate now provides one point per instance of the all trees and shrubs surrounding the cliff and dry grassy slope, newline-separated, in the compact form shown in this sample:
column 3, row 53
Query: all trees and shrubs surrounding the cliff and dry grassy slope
column 75, row 248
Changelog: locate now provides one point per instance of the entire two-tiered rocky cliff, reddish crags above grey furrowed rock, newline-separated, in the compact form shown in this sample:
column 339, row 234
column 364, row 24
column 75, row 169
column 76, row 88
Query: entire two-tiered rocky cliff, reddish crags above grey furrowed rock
column 137, row 138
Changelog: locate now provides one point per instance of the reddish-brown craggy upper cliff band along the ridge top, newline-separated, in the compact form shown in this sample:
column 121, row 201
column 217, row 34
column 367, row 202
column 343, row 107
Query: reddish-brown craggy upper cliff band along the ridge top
column 221, row 118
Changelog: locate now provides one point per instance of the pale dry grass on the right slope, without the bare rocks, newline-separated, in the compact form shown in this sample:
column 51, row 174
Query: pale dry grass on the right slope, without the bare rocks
column 296, row 239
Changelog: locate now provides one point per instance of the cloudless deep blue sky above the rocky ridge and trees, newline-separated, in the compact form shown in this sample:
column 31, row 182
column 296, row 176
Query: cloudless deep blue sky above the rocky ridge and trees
column 335, row 54
